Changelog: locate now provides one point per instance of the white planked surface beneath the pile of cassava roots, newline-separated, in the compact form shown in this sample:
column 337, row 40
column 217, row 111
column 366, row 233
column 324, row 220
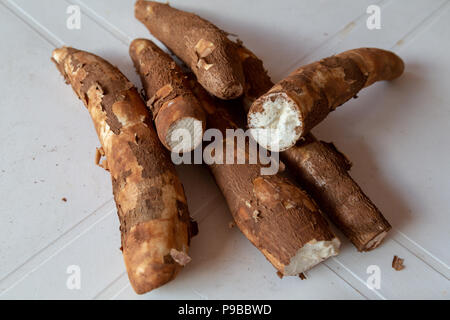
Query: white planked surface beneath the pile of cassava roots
column 396, row 134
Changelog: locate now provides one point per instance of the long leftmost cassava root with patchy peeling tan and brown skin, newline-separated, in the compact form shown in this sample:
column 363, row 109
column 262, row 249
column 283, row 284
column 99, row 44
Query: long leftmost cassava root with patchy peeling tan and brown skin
column 149, row 197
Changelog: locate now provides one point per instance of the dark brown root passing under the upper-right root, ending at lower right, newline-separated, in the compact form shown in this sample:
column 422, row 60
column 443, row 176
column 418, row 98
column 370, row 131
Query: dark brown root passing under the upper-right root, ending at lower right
column 323, row 171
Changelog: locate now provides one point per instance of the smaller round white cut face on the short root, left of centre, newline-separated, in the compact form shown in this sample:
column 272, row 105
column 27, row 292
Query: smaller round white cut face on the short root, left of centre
column 184, row 135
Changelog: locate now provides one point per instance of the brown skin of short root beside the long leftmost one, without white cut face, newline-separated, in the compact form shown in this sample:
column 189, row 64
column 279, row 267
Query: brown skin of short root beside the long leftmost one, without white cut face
column 169, row 94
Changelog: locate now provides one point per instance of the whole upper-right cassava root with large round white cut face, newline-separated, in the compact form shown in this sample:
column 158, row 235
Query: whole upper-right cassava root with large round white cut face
column 311, row 92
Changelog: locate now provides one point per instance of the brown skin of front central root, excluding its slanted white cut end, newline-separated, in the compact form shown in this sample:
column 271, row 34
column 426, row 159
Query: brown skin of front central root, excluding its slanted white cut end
column 274, row 214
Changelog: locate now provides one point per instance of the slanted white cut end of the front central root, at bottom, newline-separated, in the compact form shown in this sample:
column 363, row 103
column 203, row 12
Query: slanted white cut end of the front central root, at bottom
column 311, row 254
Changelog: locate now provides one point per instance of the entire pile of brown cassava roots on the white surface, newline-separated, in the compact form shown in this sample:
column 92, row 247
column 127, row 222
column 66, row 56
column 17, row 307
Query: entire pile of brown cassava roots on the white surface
column 283, row 214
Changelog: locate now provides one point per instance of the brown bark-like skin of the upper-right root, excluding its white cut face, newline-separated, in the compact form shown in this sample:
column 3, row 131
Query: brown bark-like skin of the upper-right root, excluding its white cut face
column 320, row 87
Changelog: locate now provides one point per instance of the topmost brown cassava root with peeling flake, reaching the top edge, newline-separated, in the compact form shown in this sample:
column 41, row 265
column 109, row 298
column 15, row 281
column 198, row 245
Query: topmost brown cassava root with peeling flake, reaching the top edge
column 200, row 44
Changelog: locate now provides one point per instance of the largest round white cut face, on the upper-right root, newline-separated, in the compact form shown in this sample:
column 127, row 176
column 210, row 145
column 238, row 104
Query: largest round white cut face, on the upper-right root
column 277, row 126
